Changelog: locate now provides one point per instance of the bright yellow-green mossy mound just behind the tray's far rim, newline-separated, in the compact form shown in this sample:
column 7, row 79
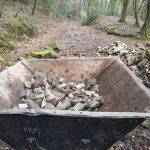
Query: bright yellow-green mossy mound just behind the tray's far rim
column 46, row 53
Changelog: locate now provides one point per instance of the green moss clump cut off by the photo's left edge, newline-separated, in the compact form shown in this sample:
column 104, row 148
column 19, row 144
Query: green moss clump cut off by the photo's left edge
column 6, row 44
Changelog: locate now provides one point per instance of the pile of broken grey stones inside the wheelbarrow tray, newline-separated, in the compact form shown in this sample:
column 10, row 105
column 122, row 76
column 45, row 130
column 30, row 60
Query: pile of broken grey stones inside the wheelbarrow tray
column 57, row 93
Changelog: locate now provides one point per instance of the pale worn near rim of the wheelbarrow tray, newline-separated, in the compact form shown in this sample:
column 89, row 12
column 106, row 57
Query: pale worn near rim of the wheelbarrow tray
column 86, row 114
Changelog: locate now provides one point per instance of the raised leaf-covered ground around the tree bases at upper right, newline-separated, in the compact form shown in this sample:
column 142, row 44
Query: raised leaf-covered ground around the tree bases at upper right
column 112, row 26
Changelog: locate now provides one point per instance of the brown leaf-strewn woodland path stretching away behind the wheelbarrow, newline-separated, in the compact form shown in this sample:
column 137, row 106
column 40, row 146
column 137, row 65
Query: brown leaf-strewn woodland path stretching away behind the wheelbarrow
column 69, row 35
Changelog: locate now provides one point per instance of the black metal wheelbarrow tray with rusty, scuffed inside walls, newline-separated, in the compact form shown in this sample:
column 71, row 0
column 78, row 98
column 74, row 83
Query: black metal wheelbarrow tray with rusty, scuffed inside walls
column 125, row 95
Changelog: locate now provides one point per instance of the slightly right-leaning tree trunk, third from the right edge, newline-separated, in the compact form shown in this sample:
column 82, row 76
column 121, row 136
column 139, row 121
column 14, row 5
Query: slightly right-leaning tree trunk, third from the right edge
column 124, row 10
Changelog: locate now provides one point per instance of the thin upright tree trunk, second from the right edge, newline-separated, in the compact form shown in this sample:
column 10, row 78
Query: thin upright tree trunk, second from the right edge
column 137, row 23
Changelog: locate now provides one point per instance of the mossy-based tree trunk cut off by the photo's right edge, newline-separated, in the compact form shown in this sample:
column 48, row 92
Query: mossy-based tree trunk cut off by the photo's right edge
column 146, row 27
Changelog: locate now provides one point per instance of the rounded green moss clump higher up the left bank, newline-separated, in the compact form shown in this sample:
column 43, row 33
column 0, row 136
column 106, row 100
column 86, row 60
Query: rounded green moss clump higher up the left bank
column 19, row 28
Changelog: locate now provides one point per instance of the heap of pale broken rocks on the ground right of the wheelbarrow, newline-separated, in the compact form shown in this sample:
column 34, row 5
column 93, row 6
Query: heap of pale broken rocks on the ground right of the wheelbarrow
column 136, row 58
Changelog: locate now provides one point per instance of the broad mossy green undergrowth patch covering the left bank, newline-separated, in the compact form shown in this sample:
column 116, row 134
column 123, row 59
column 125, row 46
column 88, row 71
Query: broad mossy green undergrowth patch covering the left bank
column 14, row 31
